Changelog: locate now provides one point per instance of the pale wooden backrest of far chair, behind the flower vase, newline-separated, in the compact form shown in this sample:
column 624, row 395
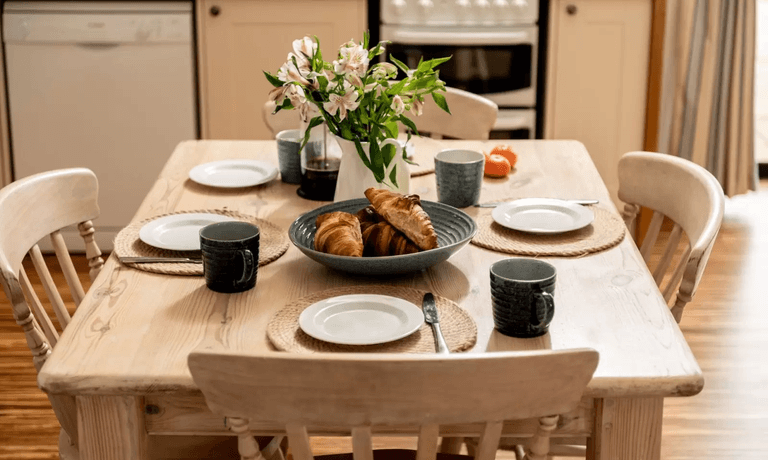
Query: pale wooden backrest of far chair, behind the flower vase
column 473, row 117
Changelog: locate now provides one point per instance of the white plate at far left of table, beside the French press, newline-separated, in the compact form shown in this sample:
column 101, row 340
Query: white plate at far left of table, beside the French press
column 233, row 173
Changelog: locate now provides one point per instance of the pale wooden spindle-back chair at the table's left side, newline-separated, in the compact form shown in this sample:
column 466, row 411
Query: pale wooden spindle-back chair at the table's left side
column 32, row 209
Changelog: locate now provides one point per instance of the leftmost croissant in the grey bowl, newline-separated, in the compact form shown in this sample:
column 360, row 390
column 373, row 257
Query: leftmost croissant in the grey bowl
column 339, row 233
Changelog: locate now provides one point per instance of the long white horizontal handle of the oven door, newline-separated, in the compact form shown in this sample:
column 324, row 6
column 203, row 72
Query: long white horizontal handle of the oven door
column 476, row 38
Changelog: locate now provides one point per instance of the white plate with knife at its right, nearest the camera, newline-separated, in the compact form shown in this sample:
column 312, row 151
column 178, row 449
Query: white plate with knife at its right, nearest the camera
column 361, row 319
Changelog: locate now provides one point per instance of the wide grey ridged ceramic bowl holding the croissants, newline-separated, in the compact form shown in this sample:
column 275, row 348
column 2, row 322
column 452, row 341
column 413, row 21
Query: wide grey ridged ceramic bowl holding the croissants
column 454, row 230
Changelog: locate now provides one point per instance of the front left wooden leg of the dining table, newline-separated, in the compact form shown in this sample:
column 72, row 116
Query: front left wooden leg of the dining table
column 111, row 428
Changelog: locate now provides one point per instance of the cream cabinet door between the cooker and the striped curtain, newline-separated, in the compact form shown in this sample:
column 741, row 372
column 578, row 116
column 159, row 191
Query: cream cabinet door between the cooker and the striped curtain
column 598, row 77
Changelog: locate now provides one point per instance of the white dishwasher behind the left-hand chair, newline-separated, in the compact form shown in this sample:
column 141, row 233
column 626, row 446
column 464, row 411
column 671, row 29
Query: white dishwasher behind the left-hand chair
column 104, row 85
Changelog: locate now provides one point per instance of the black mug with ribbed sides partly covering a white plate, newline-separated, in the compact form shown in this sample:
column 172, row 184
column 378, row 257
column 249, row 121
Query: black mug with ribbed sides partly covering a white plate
column 230, row 255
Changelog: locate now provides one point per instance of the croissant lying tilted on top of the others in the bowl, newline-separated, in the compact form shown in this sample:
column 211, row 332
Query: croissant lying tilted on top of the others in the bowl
column 405, row 214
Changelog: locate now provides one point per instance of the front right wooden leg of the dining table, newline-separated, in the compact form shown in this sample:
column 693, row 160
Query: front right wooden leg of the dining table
column 626, row 429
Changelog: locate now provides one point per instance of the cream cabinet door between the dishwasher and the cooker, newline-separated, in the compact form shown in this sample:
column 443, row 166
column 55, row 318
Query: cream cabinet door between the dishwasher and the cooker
column 240, row 38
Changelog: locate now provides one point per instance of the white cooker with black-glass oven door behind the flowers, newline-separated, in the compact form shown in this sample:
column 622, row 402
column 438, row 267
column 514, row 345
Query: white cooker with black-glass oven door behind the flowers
column 494, row 47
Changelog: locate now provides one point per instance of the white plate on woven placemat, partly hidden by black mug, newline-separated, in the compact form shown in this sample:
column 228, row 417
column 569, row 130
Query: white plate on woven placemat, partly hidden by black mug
column 178, row 232
